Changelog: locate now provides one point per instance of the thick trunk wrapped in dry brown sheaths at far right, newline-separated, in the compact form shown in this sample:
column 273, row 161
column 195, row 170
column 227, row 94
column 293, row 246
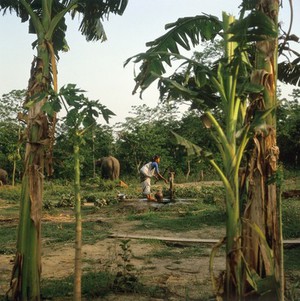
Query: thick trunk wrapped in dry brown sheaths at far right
column 262, row 208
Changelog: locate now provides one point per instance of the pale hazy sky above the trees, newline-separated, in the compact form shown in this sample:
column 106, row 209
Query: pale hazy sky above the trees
column 98, row 67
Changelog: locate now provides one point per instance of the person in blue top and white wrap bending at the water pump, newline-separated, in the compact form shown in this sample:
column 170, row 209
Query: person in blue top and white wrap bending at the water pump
column 148, row 171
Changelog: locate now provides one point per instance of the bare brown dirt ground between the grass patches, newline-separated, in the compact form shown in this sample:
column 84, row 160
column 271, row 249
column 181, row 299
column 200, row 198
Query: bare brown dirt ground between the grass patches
column 184, row 279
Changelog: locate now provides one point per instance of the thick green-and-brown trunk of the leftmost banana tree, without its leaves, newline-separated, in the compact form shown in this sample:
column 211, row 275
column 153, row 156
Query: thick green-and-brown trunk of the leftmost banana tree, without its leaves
column 25, row 280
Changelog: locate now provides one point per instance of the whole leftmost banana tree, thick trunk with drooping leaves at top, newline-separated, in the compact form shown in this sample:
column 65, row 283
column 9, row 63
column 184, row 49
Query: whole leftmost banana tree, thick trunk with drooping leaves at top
column 47, row 22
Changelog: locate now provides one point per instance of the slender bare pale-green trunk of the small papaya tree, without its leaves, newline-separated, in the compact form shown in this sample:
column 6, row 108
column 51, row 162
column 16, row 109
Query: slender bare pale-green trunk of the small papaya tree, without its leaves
column 78, row 233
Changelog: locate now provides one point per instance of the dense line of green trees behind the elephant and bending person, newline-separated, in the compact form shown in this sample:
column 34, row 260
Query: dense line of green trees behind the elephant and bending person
column 145, row 133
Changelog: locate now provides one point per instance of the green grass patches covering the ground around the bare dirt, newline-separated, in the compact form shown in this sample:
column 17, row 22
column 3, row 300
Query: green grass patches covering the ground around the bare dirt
column 204, row 212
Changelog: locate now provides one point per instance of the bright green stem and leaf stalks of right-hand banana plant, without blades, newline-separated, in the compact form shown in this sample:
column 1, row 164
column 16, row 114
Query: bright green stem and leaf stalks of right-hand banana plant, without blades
column 226, row 83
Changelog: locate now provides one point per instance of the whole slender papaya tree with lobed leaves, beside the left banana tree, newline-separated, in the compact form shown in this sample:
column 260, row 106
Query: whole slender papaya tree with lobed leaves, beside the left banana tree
column 81, row 117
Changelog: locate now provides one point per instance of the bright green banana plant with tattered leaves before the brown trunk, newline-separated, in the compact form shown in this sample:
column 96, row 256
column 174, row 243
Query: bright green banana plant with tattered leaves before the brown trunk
column 227, row 88
